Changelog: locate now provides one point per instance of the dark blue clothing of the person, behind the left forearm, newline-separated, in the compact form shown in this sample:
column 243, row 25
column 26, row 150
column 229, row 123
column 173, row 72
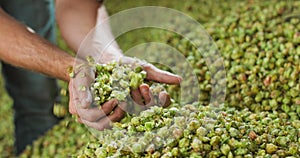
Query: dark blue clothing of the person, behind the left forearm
column 33, row 94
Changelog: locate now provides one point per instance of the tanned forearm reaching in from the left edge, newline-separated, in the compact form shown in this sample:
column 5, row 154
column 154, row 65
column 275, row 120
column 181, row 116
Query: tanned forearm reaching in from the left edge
column 25, row 49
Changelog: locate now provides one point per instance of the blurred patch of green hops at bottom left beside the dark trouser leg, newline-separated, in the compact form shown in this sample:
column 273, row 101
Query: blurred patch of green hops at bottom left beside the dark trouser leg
column 63, row 140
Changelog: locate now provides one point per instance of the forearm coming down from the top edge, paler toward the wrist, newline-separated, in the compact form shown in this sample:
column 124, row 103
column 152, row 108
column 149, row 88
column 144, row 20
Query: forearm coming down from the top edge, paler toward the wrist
column 76, row 19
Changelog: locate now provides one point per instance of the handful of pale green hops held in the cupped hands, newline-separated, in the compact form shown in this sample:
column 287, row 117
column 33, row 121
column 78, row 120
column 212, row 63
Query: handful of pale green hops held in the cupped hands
column 115, row 81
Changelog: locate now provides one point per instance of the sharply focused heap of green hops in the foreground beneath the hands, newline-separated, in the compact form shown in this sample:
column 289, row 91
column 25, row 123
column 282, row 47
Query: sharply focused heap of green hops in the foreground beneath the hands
column 198, row 131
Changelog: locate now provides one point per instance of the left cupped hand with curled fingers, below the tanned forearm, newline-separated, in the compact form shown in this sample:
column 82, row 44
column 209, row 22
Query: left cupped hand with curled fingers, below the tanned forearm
column 81, row 102
